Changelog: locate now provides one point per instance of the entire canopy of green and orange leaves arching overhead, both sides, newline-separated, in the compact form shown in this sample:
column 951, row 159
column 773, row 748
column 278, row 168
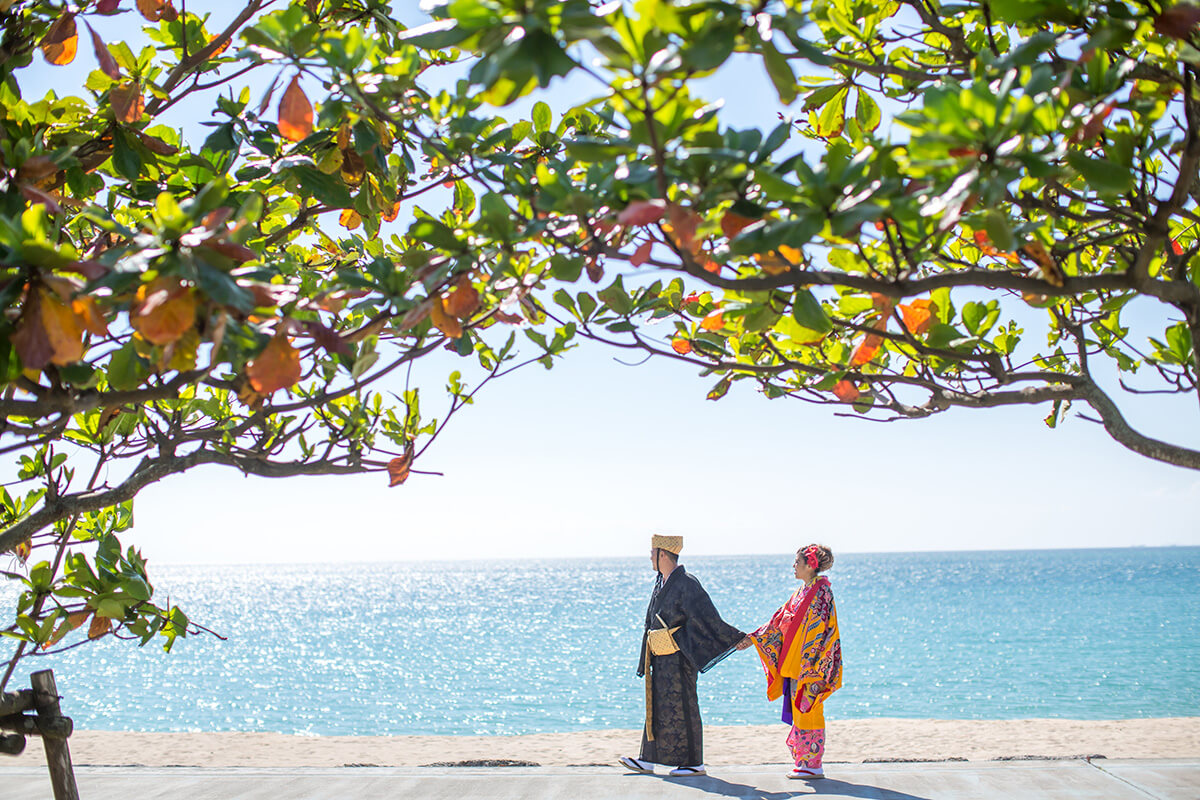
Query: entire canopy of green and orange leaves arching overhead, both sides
column 963, row 206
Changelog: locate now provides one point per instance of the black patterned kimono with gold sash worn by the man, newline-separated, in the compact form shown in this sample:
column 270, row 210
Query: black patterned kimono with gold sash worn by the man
column 704, row 640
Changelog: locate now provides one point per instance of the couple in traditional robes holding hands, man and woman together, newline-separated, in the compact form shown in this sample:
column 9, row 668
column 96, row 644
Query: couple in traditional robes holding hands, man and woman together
column 685, row 636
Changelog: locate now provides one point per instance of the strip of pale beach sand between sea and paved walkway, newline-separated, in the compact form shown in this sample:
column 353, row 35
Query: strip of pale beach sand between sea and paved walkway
column 849, row 742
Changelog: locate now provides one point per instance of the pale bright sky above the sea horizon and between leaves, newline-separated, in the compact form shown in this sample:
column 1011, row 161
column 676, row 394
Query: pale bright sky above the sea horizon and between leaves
column 590, row 459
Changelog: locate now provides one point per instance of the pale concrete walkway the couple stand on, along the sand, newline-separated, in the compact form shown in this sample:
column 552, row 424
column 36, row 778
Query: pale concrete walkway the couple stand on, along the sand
column 1067, row 780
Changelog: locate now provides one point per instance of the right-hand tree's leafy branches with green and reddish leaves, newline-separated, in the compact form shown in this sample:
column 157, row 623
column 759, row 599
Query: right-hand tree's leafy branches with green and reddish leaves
column 950, row 185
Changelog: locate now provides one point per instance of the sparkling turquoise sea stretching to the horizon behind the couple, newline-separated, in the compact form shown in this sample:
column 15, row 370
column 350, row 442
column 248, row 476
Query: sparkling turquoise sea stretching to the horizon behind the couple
column 551, row 646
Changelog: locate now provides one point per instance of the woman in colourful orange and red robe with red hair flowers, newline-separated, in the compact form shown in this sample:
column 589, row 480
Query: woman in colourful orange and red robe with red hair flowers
column 802, row 655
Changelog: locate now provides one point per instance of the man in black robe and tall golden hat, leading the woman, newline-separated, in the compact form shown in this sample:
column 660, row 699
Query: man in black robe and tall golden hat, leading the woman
column 685, row 636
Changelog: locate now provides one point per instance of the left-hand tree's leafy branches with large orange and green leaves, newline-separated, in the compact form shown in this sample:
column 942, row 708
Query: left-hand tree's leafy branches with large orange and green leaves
column 235, row 298
